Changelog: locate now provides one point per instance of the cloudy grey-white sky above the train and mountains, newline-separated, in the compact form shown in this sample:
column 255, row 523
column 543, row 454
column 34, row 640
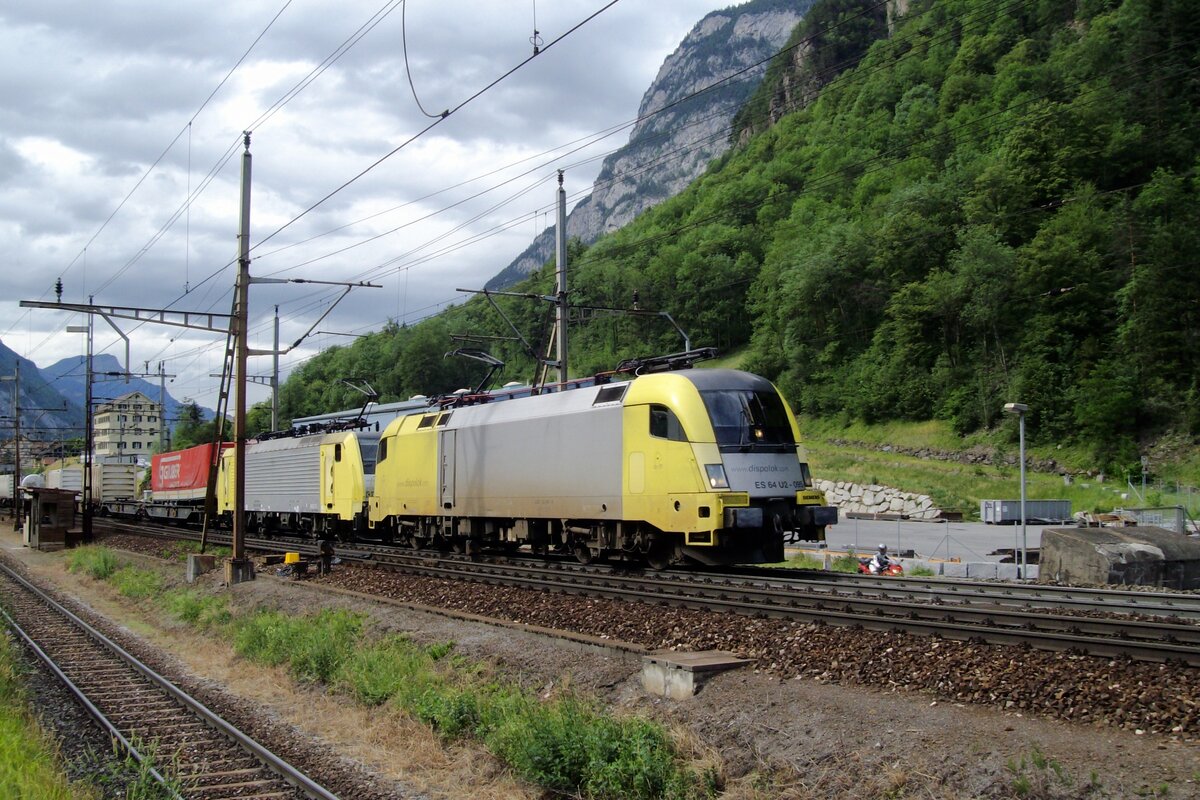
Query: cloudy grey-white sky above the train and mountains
column 113, row 116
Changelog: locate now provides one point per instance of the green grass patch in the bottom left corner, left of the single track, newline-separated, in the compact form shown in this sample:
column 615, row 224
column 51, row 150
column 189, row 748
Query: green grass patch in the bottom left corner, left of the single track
column 29, row 763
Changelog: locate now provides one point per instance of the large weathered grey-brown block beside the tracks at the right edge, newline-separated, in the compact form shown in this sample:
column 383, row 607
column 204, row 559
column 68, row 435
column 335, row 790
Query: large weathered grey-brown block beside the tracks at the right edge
column 1153, row 557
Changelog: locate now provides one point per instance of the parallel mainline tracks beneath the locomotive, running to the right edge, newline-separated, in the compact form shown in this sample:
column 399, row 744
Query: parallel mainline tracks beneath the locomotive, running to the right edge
column 985, row 615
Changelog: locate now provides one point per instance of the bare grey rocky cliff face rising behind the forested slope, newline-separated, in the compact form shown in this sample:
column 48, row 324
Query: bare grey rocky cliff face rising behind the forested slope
column 676, row 139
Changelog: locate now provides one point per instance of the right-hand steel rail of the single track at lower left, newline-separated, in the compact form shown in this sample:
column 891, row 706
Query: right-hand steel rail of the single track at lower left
column 275, row 763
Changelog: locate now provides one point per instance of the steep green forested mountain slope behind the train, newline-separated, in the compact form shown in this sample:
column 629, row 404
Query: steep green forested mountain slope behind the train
column 999, row 202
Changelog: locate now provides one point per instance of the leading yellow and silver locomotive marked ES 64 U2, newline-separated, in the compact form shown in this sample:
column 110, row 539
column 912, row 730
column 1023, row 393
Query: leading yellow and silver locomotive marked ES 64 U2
column 695, row 466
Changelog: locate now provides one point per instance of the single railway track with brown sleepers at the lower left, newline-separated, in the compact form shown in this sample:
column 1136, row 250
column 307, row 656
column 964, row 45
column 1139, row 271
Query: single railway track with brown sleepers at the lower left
column 146, row 713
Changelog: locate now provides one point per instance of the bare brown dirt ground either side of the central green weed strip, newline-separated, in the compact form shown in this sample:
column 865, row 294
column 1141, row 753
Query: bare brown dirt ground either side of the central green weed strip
column 772, row 738
